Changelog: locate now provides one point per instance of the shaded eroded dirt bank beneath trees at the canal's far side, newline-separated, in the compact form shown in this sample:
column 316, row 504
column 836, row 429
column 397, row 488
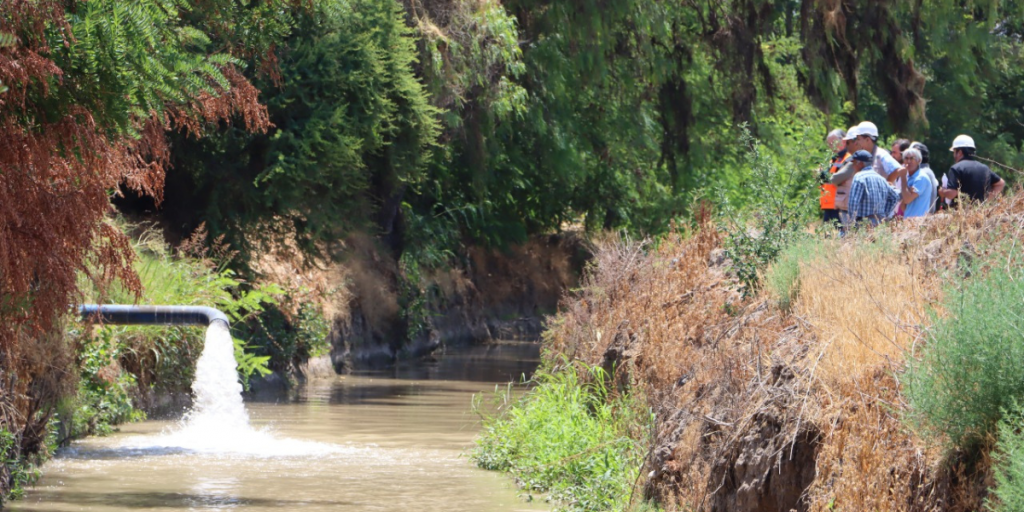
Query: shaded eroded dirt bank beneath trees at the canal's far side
column 492, row 294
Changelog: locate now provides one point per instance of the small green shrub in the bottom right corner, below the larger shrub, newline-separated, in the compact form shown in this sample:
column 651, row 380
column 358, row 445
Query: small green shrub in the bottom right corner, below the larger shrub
column 1009, row 468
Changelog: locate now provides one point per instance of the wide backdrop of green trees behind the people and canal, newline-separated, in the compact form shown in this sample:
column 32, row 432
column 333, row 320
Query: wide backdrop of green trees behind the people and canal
column 619, row 115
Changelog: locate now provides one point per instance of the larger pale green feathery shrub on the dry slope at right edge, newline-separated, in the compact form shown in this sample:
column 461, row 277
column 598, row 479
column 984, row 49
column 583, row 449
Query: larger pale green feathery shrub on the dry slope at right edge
column 970, row 370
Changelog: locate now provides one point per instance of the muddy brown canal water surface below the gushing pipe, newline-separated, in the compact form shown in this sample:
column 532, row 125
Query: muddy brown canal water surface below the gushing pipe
column 383, row 442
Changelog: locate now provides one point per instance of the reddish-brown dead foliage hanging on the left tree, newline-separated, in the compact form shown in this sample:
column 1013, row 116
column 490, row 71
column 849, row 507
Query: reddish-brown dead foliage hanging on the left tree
column 58, row 166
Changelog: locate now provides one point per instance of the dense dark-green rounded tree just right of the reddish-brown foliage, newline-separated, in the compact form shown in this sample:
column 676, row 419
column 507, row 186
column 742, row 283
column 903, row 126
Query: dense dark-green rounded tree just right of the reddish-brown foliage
column 353, row 131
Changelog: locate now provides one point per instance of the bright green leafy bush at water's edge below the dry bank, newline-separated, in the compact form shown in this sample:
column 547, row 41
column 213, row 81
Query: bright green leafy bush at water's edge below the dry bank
column 570, row 440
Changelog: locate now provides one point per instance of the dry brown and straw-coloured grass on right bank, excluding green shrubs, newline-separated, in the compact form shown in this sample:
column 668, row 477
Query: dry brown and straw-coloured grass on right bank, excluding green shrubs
column 763, row 410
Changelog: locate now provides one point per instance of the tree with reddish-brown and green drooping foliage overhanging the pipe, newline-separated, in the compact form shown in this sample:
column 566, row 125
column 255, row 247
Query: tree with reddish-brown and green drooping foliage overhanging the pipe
column 94, row 89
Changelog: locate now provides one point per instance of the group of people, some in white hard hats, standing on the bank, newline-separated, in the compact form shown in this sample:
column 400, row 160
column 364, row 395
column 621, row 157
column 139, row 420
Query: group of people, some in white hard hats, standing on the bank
column 867, row 184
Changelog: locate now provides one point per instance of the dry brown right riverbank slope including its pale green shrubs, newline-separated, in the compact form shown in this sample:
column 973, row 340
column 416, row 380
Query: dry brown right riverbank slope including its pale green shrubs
column 870, row 372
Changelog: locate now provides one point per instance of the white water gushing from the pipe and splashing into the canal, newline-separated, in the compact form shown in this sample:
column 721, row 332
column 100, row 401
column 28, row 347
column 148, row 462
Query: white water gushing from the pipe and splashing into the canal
column 219, row 422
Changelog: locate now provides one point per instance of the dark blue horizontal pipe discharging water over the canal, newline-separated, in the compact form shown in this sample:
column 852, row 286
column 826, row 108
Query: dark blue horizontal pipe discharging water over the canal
column 152, row 316
